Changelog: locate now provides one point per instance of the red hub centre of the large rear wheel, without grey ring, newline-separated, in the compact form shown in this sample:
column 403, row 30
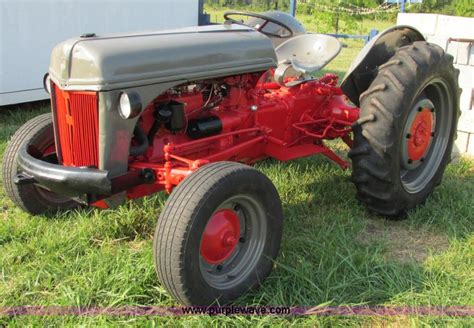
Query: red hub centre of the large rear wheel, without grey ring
column 419, row 140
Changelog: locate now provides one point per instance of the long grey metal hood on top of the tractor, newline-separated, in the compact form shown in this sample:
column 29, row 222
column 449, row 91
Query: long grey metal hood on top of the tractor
column 109, row 62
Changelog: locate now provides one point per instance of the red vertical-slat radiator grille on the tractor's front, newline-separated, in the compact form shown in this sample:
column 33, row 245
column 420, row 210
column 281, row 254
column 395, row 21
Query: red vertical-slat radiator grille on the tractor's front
column 77, row 126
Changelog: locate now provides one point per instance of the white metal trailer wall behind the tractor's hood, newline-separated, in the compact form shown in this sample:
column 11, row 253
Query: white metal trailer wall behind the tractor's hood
column 29, row 29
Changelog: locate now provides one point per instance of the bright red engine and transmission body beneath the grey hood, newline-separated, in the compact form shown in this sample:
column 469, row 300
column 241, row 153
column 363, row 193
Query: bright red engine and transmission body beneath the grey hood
column 258, row 118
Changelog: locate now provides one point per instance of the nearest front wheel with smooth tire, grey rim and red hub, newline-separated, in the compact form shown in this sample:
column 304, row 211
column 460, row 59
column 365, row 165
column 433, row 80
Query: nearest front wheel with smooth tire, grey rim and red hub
column 218, row 235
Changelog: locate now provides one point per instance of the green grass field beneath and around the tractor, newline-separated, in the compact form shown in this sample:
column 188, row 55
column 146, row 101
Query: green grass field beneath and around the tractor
column 333, row 251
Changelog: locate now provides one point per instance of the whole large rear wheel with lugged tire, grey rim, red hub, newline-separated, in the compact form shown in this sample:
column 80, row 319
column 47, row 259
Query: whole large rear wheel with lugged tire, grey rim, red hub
column 404, row 137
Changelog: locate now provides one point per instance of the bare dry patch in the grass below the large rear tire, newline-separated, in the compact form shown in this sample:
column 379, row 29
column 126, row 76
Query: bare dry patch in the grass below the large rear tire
column 403, row 244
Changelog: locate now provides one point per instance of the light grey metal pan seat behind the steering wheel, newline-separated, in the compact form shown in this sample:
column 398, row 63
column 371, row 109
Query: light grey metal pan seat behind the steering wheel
column 308, row 53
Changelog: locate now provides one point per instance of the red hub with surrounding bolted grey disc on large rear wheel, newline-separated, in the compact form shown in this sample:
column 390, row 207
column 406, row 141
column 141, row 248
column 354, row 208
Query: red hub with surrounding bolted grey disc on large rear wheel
column 419, row 132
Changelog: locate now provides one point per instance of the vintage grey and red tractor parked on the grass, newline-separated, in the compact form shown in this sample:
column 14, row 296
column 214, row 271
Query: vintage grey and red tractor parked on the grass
column 188, row 111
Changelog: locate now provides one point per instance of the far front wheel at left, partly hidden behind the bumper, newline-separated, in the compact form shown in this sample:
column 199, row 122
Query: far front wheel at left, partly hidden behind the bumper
column 38, row 132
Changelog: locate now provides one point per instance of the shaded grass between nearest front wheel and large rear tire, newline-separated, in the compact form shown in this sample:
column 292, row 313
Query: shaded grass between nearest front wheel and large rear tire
column 335, row 252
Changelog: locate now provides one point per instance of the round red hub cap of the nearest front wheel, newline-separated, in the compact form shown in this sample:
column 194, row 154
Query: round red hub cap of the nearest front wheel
column 220, row 236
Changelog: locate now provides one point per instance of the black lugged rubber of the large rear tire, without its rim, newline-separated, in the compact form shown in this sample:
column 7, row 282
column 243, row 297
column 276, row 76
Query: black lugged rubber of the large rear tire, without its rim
column 382, row 106
